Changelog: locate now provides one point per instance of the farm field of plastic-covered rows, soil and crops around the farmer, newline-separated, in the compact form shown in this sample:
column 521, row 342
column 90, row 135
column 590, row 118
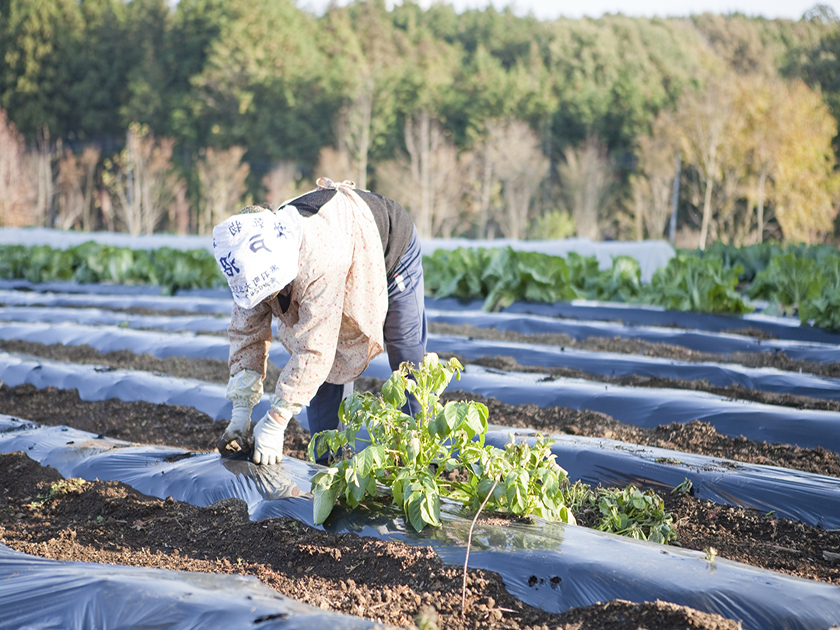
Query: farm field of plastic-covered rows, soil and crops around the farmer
column 726, row 423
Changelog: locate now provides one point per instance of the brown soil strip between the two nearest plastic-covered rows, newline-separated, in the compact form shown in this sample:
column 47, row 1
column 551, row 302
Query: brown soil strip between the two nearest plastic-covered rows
column 396, row 585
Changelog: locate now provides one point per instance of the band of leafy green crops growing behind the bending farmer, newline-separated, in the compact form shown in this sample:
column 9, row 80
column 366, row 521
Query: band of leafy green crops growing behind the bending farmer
column 794, row 280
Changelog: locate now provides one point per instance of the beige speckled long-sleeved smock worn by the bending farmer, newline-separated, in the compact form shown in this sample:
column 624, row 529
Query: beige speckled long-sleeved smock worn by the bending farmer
column 333, row 326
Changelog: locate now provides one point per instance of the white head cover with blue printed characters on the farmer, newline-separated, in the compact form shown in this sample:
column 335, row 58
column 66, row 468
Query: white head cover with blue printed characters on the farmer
column 258, row 253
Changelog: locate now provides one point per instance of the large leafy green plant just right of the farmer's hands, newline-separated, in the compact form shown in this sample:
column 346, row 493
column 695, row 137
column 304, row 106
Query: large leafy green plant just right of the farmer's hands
column 439, row 453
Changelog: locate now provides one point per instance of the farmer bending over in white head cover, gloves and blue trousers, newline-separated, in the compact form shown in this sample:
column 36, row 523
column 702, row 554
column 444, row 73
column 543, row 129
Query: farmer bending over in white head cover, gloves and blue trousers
column 340, row 270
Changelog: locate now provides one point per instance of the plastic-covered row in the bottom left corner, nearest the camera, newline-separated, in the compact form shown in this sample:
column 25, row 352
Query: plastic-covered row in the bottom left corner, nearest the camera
column 40, row 593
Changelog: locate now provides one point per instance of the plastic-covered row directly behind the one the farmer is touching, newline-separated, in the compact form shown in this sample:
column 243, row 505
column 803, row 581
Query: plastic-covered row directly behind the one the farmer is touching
column 811, row 498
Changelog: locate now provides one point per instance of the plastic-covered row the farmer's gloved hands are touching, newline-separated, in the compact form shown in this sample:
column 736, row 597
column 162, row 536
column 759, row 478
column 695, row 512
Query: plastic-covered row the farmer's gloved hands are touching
column 552, row 566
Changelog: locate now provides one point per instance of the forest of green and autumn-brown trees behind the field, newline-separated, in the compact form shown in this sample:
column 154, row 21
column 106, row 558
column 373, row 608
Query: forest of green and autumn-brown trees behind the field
column 339, row 91
